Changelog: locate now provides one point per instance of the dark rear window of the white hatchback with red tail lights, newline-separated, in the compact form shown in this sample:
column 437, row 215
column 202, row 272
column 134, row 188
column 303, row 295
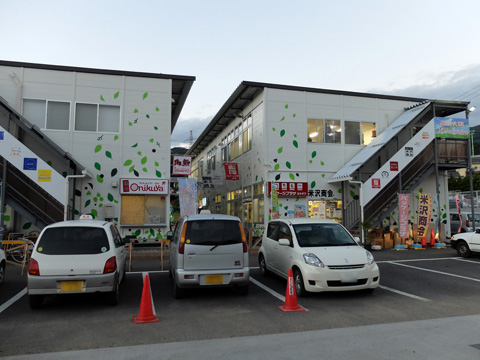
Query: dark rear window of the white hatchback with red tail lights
column 73, row 241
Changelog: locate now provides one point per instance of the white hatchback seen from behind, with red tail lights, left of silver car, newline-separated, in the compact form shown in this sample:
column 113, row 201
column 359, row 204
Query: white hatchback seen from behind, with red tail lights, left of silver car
column 77, row 256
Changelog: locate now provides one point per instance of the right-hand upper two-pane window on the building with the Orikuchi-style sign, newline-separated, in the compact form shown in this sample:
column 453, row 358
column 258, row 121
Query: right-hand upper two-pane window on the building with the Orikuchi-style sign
column 97, row 118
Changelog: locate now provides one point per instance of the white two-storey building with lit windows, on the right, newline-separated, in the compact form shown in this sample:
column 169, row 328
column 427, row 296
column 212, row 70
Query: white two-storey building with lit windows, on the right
column 334, row 154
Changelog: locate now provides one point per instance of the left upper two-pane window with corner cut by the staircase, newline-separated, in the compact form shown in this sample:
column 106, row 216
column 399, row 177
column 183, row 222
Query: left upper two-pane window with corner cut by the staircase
column 47, row 114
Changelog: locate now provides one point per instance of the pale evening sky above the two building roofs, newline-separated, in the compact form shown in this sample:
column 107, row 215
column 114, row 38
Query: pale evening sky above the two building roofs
column 417, row 48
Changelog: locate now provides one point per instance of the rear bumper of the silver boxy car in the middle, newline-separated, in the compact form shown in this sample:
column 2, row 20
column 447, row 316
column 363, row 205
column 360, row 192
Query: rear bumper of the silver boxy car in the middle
column 200, row 278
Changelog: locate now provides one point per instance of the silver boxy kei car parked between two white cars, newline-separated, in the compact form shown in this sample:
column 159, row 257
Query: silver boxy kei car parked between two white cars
column 209, row 250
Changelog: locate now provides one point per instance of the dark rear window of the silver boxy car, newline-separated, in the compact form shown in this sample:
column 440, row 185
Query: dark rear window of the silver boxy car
column 213, row 232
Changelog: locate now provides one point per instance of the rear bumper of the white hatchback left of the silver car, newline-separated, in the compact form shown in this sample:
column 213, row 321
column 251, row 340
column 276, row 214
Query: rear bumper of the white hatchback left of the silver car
column 50, row 285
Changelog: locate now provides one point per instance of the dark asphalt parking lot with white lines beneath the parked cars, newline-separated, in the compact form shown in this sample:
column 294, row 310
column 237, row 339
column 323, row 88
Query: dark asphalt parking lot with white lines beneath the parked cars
column 415, row 285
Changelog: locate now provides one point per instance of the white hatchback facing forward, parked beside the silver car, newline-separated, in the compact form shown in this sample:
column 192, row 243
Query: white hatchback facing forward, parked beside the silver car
column 322, row 254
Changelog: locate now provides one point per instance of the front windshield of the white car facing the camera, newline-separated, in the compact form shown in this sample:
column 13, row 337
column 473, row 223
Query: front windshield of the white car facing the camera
column 310, row 235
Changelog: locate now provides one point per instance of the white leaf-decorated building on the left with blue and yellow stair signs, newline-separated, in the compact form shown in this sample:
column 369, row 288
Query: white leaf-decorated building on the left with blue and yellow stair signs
column 108, row 130
